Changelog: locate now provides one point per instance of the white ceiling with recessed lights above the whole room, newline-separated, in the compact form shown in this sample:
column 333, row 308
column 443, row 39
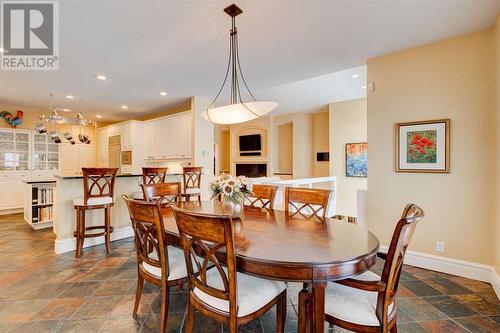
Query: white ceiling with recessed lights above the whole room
column 145, row 46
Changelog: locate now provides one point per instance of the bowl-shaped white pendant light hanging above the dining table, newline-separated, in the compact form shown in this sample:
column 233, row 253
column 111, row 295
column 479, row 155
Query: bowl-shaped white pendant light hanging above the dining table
column 238, row 111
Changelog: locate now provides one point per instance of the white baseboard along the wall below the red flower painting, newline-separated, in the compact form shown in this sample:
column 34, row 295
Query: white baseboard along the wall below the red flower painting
column 467, row 269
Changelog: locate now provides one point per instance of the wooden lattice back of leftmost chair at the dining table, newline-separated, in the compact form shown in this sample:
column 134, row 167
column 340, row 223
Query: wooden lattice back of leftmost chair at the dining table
column 149, row 231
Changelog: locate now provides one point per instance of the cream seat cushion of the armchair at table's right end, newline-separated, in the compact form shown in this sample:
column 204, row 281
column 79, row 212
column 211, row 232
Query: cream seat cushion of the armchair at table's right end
column 354, row 305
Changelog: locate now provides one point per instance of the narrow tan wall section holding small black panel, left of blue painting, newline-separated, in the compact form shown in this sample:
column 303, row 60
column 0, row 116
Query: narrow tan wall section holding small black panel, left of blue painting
column 321, row 143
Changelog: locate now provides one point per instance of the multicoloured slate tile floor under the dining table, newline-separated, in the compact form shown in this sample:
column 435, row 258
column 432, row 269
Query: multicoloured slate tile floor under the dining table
column 44, row 292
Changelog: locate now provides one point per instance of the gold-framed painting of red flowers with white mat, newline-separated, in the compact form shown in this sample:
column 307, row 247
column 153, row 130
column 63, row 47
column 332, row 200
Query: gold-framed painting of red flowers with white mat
column 423, row 146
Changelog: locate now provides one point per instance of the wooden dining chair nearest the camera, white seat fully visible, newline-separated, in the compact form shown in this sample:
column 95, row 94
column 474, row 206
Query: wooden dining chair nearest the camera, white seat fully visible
column 221, row 293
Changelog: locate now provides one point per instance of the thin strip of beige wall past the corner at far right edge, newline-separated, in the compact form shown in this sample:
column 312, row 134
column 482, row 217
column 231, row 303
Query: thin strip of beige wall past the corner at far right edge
column 497, row 141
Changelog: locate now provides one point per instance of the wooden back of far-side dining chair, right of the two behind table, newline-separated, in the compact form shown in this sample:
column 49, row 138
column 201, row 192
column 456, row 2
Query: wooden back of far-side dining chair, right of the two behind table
column 307, row 202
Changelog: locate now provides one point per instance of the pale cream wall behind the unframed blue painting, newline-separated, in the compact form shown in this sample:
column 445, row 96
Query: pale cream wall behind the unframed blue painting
column 347, row 124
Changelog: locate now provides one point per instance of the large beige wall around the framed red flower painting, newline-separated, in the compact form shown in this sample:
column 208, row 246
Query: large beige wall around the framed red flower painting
column 448, row 79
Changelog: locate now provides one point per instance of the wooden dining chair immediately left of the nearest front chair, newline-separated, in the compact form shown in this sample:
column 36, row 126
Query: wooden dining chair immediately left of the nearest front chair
column 157, row 262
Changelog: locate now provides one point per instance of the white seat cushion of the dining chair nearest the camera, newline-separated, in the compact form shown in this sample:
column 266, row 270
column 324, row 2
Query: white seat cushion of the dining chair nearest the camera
column 252, row 294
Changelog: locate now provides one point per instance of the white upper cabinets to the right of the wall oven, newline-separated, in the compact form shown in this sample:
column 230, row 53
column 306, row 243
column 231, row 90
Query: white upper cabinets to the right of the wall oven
column 168, row 137
